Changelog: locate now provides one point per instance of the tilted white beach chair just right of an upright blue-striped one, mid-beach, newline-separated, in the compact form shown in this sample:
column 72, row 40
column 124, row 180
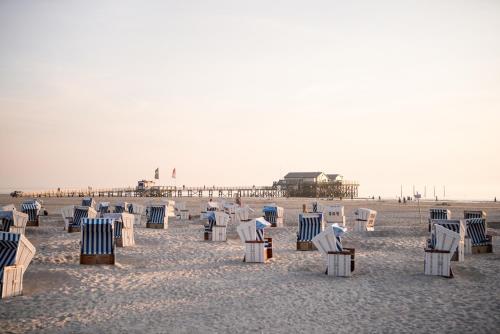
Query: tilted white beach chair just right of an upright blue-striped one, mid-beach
column 340, row 261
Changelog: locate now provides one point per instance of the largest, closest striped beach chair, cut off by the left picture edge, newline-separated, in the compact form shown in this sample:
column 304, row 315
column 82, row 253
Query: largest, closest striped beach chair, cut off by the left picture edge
column 16, row 253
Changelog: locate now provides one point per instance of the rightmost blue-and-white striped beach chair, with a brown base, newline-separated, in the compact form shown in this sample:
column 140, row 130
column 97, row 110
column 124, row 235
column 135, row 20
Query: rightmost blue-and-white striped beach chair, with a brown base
column 476, row 239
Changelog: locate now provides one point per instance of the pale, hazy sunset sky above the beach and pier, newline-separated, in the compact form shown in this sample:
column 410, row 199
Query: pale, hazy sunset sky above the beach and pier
column 387, row 93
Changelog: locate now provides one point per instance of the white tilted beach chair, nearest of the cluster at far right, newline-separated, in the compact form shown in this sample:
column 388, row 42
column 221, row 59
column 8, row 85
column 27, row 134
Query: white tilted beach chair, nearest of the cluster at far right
column 438, row 254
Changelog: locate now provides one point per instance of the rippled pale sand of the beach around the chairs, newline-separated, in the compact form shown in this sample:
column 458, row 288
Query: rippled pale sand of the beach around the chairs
column 173, row 282
